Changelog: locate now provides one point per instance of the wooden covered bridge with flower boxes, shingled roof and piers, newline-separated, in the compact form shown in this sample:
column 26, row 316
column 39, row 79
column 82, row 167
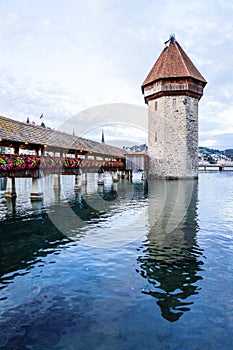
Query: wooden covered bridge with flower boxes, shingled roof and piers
column 37, row 151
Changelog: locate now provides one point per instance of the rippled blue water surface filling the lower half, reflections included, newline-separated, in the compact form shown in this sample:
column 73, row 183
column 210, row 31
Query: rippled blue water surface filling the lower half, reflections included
column 131, row 266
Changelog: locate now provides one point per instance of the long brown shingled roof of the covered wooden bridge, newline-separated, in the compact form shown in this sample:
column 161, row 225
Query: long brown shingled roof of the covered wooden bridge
column 20, row 132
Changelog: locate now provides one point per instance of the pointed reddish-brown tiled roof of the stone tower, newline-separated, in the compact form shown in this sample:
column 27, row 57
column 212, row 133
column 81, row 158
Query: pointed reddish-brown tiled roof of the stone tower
column 173, row 62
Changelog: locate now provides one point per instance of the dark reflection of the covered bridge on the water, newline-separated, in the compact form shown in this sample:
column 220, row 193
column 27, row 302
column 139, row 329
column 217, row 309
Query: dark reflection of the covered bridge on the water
column 32, row 230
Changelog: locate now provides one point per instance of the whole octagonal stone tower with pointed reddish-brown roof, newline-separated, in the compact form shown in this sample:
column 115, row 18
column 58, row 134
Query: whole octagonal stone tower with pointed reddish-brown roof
column 172, row 90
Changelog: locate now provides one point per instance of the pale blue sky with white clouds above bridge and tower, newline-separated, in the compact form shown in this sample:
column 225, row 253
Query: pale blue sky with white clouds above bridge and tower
column 63, row 57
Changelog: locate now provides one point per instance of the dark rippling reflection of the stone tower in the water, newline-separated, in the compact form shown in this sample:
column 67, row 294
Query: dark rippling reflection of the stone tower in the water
column 170, row 258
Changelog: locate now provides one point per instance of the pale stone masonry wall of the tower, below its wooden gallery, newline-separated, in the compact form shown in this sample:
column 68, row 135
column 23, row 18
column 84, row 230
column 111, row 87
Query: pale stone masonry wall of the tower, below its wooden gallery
column 173, row 137
